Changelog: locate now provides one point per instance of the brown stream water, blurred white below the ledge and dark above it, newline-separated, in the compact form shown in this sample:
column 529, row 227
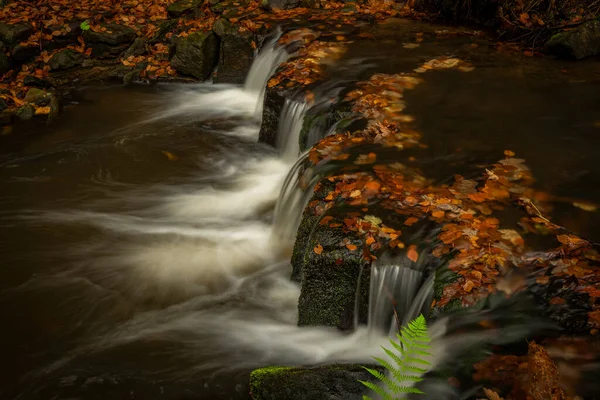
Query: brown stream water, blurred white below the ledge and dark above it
column 140, row 258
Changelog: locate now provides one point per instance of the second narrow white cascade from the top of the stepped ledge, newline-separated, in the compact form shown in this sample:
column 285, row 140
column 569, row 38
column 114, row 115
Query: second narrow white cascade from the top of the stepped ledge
column 289, row 128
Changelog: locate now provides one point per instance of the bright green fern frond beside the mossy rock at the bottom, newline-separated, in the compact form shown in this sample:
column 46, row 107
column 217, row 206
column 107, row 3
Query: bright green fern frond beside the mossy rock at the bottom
column 408, row 362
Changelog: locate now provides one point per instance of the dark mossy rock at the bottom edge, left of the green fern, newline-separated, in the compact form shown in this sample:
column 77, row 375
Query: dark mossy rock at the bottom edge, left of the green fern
column 332, row 382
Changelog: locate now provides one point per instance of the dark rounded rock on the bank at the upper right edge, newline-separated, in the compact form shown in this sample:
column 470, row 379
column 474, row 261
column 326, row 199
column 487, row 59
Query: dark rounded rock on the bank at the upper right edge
column 584, row 41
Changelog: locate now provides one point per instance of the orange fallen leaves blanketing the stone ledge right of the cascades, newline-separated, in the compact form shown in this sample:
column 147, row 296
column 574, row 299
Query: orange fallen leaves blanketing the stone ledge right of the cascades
column 485, row 249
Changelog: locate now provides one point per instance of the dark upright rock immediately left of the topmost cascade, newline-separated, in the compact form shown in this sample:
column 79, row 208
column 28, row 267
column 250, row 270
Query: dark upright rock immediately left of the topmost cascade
column 236, row 53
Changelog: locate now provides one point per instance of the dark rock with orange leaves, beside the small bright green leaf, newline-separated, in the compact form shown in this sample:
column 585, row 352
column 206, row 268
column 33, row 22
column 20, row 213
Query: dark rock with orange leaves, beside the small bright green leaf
column 115, row 40
